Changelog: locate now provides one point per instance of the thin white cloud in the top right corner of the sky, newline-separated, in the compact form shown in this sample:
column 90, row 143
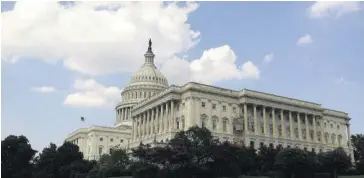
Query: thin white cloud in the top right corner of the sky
column 324, row 9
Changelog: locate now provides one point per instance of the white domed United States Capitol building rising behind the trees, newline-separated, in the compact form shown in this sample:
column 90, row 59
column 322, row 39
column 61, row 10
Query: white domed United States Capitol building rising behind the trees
column 152, row 112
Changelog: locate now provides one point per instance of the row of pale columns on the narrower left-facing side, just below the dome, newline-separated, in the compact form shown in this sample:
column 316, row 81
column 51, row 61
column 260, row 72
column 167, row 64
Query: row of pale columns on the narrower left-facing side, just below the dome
column 153, row 121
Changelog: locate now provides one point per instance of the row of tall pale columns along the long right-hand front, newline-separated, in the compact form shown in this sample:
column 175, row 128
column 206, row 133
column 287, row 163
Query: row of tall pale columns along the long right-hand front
column 282, row 123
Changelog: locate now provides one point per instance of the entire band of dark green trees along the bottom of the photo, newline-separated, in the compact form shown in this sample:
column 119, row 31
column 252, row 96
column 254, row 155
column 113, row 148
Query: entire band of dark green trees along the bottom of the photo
column 191, row 154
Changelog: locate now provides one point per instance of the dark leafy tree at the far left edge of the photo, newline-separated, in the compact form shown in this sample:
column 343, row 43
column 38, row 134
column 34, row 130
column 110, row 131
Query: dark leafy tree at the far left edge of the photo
column 16, row 156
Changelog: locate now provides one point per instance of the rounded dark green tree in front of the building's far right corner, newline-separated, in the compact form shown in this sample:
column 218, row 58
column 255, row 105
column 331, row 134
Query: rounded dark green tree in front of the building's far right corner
column 335, row 161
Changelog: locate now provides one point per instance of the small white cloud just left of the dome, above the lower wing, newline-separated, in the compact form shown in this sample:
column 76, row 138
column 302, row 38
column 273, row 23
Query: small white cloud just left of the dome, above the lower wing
column 89, row 93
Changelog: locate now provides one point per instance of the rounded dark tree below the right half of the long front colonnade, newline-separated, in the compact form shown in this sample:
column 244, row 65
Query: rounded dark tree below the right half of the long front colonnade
column 293, row 162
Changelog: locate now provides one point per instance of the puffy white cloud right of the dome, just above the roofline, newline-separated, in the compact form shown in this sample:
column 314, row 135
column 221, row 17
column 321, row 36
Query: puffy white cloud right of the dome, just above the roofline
column 214, row 65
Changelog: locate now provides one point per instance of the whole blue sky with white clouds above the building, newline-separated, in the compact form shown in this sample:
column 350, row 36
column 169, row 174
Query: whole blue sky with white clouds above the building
column 64, row 61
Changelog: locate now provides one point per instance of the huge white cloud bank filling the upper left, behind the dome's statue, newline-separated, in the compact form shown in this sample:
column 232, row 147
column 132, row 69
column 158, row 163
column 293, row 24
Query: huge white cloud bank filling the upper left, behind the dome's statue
column 92, row 40
